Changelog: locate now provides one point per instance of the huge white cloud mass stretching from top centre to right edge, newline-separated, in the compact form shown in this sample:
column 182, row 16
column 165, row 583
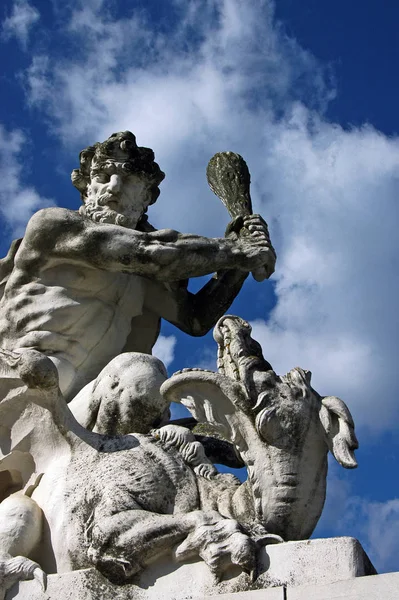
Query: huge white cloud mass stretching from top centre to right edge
column 329, row 194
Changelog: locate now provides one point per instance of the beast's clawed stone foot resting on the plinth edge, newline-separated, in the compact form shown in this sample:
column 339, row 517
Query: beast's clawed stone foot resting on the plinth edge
column 220, row 545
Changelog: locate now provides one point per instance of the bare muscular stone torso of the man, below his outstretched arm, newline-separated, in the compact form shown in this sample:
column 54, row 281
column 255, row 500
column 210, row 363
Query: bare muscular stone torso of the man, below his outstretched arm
column 76, row 312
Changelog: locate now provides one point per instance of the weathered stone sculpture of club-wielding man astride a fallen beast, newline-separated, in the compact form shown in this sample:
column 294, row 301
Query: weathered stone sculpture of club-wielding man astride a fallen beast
column 93, row 474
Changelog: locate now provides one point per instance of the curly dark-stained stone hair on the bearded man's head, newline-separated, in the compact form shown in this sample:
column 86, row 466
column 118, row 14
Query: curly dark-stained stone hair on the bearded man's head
column 119, row 147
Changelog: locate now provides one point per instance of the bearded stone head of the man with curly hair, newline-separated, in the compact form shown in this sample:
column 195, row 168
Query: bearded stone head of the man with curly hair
column 117, row 180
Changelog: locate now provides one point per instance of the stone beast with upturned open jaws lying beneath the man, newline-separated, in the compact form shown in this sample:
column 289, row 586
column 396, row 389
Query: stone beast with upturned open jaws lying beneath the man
column 117, row 519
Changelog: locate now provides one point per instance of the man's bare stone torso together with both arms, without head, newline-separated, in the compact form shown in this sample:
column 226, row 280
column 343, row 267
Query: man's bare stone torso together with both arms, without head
column 83, row 292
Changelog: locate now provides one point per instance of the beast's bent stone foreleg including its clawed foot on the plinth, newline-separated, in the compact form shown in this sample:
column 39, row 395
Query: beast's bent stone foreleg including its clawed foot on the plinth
column 124, row 543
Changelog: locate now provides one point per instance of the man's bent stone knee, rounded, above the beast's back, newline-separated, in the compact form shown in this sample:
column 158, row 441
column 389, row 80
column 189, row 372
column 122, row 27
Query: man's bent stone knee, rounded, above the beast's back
column 125, row 396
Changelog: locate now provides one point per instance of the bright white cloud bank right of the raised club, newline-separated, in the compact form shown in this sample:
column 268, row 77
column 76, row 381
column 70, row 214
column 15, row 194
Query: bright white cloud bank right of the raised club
column 335, row 198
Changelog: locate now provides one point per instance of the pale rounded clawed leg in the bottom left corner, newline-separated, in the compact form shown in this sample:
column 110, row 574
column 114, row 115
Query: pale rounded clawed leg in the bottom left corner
column 20, row 532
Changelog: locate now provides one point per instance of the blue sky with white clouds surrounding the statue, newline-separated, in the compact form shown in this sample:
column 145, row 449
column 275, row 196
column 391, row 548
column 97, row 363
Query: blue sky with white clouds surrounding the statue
column 307, row 92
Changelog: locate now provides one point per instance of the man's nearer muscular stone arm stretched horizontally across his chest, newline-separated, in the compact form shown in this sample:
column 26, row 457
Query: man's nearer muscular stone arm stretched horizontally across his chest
column 163, row 255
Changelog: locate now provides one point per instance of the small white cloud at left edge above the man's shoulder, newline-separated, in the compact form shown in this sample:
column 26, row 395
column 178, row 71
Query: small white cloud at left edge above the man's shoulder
column 17, row 201
